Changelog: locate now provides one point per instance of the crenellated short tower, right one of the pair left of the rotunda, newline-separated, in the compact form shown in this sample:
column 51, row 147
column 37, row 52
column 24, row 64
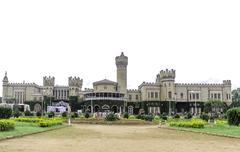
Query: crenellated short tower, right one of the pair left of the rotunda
column 75, row 85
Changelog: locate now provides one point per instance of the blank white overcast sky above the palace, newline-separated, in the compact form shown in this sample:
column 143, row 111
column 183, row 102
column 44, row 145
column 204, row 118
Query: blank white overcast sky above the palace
column 200, row 39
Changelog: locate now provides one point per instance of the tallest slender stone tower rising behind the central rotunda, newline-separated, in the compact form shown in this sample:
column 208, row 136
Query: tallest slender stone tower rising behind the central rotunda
column 121, row 63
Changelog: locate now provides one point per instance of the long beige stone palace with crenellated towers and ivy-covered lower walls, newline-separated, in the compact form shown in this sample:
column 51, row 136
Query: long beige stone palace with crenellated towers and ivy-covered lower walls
column 163, row 95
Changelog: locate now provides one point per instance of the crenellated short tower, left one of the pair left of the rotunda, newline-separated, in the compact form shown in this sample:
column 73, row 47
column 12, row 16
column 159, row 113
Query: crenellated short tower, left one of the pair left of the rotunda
column 48, row 86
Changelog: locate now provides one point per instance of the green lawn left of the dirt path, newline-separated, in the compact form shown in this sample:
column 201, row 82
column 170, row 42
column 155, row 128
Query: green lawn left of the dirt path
column 24, row 128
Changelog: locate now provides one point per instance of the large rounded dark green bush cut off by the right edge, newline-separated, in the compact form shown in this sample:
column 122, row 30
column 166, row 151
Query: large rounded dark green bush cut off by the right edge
column 233, row 116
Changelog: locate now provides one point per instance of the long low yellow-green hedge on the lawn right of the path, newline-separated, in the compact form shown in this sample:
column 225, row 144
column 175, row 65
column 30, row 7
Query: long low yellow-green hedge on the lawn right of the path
column 188, row 124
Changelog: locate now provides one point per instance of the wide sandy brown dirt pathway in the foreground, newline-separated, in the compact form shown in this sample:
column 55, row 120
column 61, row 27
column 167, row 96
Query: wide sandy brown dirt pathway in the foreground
column 103, row 138
